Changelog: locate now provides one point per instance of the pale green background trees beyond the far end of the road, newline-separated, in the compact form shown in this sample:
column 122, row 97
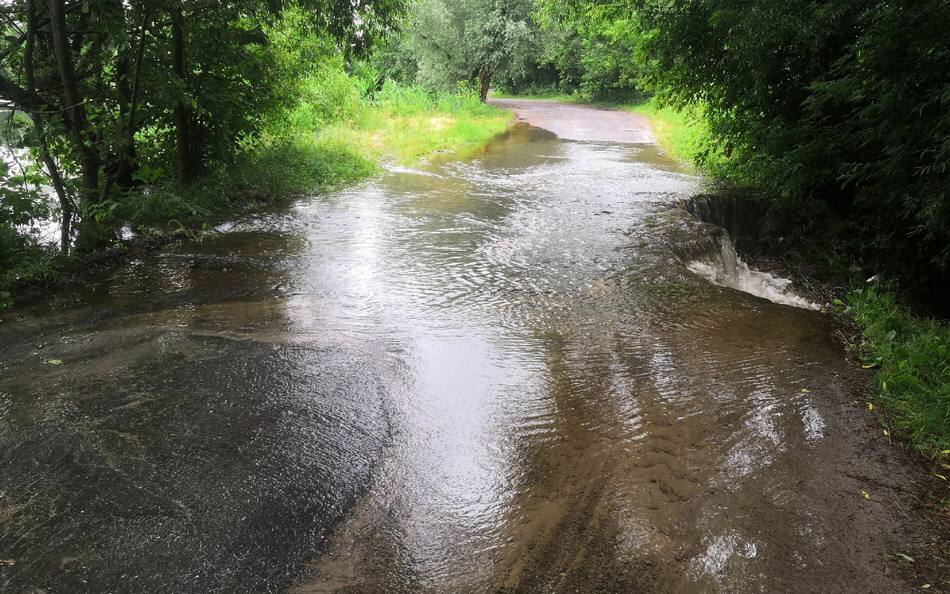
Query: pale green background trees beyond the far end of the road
column 518, row 46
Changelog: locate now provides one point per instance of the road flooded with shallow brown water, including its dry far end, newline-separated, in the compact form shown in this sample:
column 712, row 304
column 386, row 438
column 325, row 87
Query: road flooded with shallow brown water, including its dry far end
column 490, row 375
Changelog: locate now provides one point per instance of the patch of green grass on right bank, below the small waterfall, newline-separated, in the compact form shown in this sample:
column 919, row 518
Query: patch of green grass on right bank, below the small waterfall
column 912, row 355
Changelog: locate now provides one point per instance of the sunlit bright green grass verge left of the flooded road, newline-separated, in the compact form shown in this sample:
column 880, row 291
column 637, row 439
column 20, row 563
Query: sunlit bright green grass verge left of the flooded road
column 324, row 143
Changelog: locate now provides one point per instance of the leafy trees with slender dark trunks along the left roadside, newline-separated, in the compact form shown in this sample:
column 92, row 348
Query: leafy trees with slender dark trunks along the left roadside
column 122, row 94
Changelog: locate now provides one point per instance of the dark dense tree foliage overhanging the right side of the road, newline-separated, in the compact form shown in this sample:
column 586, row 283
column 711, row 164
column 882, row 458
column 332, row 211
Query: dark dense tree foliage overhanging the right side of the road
column 844, row 104
